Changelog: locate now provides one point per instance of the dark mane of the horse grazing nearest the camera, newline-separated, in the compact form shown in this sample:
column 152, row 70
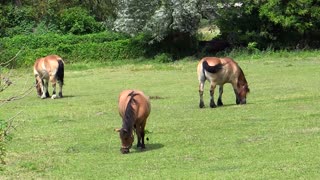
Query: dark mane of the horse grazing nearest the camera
column 129, row 114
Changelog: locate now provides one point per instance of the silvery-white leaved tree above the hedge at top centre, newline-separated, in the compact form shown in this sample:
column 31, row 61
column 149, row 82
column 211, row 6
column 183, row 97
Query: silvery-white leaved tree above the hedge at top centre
column 159, row 19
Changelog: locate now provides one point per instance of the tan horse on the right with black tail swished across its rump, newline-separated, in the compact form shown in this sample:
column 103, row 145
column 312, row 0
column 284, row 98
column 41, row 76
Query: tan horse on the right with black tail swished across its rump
column 219, row 71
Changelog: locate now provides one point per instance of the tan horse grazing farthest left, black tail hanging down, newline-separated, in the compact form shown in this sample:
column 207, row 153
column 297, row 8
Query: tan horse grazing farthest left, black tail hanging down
column 49, row 68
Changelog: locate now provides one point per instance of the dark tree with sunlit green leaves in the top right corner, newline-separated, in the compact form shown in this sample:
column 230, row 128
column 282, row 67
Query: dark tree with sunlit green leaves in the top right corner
column 291, row 24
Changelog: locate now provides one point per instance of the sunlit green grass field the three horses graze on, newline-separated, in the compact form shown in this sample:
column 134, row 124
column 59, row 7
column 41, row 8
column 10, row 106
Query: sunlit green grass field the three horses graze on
column 275, row 136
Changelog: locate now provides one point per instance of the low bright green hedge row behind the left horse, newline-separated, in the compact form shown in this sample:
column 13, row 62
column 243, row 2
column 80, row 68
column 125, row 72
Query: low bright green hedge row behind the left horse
column 101, row 47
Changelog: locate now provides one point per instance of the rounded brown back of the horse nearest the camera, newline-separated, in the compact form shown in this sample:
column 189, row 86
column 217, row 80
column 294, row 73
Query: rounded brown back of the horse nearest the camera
column 141, row 105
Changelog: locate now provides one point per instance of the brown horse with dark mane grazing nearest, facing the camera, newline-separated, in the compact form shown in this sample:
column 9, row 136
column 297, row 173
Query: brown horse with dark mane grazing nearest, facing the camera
column 134, row 108
